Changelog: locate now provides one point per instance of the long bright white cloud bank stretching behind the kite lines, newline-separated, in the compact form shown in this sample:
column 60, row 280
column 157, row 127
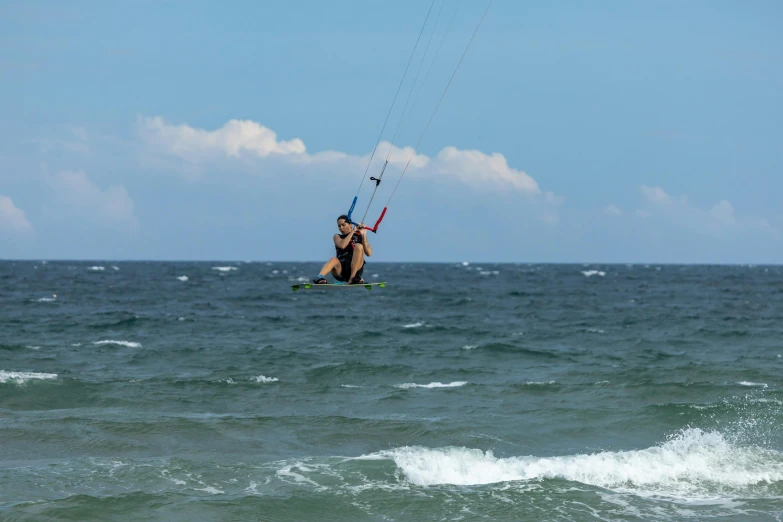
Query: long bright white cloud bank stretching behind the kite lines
column 250, row 140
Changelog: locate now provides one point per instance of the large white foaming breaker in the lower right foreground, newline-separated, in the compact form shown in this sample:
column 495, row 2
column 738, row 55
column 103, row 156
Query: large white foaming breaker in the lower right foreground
column 692, row 465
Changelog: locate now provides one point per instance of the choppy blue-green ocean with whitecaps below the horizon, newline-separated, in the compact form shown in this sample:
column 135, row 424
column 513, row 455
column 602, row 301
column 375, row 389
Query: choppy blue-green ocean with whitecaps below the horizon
column 190, row 391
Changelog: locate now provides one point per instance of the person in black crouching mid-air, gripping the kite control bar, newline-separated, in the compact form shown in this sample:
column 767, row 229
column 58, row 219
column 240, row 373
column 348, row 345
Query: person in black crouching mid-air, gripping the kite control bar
column 351, row 245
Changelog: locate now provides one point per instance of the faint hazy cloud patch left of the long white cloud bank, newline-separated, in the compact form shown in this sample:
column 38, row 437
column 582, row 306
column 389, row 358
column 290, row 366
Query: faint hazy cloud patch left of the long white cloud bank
column 75, row 189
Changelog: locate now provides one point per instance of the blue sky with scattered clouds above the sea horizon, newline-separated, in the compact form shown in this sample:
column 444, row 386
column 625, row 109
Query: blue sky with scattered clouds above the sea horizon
column 572, row 132
